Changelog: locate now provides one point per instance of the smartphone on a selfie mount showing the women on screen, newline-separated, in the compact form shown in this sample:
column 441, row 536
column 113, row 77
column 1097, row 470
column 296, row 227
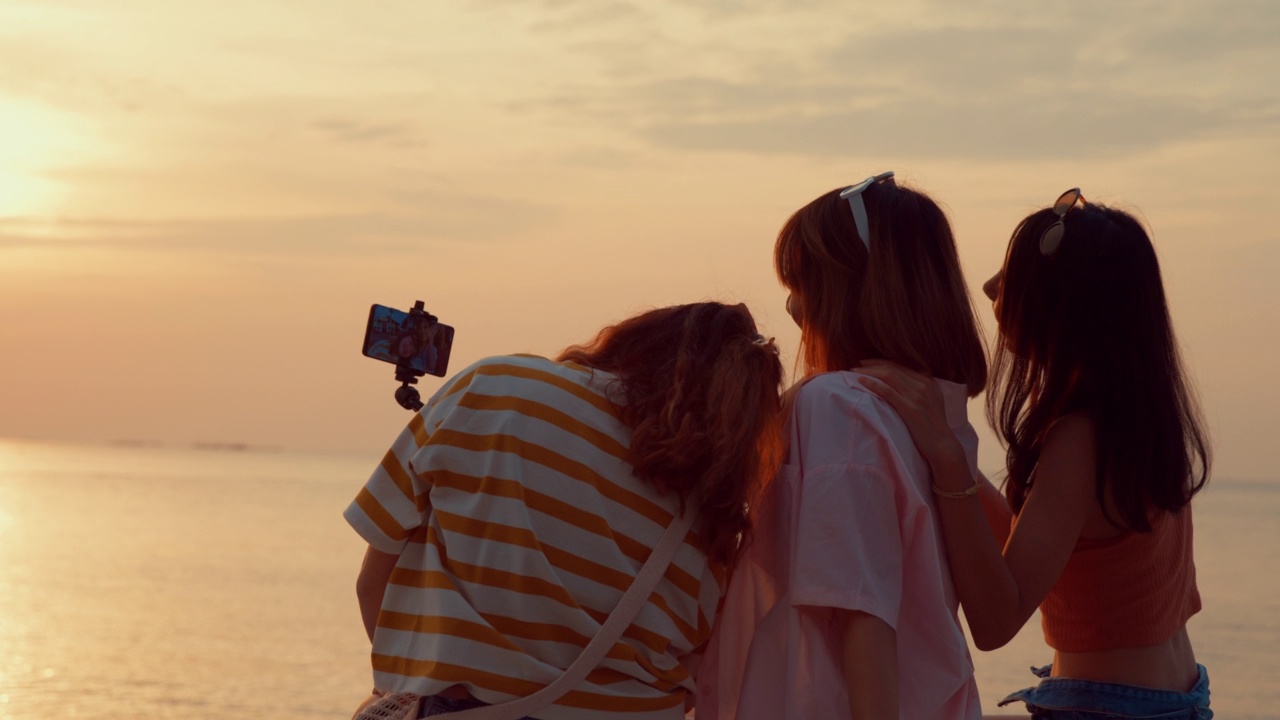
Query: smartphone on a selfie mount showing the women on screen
column 418, row 343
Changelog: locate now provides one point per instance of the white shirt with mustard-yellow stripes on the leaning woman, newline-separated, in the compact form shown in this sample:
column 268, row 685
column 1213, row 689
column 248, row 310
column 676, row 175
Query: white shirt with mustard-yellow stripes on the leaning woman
column 519, row 526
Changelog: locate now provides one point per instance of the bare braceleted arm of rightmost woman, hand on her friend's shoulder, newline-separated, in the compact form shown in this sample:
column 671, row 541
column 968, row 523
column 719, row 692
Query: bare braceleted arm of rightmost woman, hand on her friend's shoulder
column 999, row 590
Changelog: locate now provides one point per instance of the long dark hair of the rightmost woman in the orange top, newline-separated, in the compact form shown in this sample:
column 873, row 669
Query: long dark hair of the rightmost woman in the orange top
column 1087, row 330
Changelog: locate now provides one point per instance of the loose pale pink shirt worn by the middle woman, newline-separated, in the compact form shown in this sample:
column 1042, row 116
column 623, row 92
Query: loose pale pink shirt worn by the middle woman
column 849, row 523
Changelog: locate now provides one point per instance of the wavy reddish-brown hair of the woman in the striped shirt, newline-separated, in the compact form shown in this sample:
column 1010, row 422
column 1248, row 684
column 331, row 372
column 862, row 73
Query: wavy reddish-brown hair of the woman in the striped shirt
column 703, row 404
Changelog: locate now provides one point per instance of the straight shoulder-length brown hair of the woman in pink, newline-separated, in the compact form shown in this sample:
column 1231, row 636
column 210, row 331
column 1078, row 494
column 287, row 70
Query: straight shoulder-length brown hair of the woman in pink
column 904, row 302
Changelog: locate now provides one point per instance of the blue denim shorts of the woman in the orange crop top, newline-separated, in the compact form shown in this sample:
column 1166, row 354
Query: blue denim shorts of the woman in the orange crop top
column 1064, row 699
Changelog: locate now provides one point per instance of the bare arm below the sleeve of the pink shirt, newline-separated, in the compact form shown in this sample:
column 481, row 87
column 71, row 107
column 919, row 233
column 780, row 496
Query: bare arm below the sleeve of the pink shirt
column 870, row 655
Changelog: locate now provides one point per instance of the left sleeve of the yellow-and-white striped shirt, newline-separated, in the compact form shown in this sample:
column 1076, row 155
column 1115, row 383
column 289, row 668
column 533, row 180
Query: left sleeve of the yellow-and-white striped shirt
column 395, row 500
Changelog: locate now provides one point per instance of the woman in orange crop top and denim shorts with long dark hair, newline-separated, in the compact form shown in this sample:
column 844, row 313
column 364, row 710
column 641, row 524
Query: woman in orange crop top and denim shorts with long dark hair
column 1105, row 450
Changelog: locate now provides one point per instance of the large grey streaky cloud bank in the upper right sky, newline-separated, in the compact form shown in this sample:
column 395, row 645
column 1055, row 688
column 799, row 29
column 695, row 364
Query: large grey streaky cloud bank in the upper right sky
column 995, row 81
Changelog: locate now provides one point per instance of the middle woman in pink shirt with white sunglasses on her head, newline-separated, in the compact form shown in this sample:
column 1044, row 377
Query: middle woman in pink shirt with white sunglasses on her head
column 843, row 604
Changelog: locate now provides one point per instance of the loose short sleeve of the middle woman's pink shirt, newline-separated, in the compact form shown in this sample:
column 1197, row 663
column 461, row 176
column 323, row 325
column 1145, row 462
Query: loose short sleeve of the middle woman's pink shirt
column 848, row 552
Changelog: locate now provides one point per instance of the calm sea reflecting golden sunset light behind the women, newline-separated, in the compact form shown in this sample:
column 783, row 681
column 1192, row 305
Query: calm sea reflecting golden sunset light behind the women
column 149, row 582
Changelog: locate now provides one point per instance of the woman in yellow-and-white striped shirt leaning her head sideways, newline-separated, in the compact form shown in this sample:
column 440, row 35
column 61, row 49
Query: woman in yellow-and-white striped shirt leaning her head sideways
column 518, row 508
